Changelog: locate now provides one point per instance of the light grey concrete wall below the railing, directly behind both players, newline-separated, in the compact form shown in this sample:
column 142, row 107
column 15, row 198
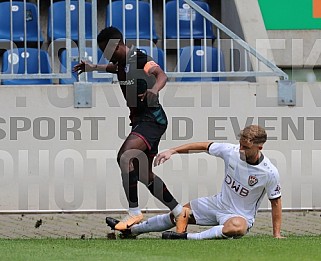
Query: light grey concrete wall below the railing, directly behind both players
column 53, row 156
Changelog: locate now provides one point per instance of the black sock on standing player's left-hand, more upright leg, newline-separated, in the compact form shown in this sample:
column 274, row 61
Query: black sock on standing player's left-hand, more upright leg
column 130, row 186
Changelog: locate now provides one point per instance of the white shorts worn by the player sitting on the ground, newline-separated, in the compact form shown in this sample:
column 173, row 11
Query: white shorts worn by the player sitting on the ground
column 207, row 212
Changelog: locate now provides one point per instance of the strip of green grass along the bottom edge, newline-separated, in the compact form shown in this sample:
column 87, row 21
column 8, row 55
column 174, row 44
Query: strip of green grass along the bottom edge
column 247, row 248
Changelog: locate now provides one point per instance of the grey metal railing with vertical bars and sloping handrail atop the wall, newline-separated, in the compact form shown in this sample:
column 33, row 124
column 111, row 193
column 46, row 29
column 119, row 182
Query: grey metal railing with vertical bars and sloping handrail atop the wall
column 248, row 70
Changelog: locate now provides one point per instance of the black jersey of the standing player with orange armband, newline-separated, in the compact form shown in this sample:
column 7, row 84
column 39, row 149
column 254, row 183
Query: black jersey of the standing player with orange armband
column 133, row 81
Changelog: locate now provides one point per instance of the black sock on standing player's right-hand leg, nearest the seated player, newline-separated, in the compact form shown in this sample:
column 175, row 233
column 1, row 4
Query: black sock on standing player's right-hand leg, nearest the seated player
column 158, row 188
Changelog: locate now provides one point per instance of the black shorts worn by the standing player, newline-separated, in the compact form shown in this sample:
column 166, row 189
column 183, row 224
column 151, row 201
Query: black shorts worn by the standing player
column 150, row 132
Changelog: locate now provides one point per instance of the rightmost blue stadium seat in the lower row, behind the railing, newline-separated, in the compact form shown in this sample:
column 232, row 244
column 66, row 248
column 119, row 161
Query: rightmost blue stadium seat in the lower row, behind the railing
column 199, row 53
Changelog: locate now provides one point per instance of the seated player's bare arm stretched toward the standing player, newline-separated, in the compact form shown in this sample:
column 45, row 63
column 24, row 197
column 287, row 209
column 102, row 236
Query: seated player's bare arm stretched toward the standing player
column 186, row 148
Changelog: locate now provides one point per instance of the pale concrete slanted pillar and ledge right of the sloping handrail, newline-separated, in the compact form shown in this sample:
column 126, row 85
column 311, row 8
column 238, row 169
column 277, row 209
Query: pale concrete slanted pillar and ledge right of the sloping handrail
column 290, row 48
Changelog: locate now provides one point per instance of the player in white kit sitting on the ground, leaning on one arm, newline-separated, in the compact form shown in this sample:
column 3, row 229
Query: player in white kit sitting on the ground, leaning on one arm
column 249, row 175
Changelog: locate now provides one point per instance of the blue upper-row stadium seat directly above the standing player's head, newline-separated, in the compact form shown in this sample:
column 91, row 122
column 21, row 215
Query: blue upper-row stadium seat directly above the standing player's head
column 116, row 19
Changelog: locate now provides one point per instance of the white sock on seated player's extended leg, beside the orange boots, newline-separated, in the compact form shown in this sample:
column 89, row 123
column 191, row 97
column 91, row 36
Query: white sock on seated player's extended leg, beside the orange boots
column 154, row 224
